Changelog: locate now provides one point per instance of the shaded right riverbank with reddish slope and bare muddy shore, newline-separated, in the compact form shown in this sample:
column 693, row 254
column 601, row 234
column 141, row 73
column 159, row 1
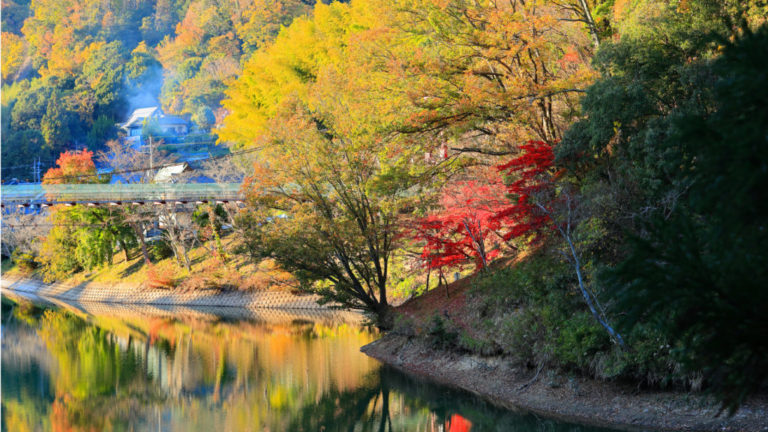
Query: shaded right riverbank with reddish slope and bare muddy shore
column 463, row 335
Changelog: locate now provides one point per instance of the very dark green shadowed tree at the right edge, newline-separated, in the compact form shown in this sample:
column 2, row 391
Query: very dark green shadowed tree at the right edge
column 700, row 272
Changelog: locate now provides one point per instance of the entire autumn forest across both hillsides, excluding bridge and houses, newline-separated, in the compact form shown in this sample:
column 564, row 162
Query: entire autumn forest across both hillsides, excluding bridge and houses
column 594, row 171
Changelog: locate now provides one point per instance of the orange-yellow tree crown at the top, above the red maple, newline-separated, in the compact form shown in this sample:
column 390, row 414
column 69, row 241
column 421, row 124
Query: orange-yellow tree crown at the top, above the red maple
column 492, row 74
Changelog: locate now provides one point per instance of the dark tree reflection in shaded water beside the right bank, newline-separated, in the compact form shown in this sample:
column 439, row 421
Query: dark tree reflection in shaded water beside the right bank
column 390, row 401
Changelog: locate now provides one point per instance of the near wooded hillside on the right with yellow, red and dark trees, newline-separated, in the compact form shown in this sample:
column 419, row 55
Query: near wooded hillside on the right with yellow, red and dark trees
column 615, row 149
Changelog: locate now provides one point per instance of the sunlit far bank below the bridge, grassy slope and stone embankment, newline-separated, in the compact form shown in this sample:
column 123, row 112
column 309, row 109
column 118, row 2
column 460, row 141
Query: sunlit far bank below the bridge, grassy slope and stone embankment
column 210, row 282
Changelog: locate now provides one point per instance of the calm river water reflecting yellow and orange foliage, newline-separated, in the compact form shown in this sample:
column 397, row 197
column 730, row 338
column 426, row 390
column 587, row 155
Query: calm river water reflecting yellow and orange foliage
column 88, row 367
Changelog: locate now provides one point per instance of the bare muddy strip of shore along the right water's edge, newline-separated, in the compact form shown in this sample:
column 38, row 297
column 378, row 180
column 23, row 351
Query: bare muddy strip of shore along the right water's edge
column 572, row 399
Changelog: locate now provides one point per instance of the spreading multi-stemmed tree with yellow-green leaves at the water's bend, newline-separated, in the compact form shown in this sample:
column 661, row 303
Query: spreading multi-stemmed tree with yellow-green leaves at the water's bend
column 328, row 218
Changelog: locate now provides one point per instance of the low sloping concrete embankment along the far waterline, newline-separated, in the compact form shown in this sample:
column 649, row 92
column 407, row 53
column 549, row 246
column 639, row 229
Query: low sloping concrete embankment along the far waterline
column 136, row 295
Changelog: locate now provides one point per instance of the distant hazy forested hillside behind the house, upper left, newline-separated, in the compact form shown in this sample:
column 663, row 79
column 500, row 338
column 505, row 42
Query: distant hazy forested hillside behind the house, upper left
column 73, row 69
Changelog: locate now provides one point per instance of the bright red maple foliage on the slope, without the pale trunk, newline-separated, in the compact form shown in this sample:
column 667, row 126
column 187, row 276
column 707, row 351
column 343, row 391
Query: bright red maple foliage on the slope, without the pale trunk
column 477, row 218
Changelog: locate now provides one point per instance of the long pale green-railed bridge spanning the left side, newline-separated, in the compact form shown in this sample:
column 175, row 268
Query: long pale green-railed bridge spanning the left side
column 118, row 194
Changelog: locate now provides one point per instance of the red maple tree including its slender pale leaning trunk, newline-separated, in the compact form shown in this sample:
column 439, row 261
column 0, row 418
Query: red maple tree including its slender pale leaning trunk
column 532, row 207
